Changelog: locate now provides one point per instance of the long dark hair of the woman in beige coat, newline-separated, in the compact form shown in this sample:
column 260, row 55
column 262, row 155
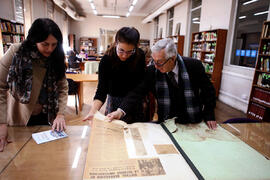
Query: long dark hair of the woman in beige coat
column 38, row 32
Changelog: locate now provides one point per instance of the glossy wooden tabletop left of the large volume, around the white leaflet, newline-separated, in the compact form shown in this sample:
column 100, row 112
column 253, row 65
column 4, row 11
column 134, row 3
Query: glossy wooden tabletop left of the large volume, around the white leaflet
column 60, row 159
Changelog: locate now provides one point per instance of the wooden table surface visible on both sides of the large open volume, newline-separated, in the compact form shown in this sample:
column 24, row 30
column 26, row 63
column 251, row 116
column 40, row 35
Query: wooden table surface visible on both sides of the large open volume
column 24, row 159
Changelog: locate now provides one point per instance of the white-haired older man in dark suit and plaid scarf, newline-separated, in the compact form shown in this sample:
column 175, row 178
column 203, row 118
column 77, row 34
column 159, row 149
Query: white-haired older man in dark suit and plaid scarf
column 180, row 85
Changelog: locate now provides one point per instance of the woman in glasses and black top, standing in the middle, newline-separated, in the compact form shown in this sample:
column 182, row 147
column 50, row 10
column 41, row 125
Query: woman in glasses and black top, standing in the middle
column 121, row 69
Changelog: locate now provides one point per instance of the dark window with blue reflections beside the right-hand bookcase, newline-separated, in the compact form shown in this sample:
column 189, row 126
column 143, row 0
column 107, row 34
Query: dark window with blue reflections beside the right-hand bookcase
column 248, row 27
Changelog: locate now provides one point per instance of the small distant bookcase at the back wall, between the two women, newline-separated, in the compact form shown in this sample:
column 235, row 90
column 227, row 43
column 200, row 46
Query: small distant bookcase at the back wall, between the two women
column 89, row 45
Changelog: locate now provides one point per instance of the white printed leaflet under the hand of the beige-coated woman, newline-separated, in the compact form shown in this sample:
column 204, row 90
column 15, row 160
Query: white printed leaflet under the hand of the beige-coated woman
column 47, row 136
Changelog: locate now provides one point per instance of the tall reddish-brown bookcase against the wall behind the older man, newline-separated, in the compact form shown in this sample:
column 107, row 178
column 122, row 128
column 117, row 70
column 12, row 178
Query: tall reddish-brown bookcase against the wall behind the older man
column 209, row 47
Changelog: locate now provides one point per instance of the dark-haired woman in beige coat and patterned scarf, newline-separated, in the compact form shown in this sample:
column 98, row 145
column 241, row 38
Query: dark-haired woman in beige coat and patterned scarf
column 33, row 86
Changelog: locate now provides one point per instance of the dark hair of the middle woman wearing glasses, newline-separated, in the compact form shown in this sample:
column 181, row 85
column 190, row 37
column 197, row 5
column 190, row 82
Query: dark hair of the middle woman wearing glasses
column 129, row 35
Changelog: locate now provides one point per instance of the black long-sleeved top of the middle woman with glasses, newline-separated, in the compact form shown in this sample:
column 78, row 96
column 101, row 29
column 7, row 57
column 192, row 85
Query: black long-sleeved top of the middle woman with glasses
column 117, row 78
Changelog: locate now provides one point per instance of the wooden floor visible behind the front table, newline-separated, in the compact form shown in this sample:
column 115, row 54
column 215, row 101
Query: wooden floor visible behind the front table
column 223, row 112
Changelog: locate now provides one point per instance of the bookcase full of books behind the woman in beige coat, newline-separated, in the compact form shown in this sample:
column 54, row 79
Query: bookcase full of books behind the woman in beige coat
column 10, row 32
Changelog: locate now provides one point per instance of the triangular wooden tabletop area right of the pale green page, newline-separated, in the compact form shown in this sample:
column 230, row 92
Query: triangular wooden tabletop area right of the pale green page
column 256, row 135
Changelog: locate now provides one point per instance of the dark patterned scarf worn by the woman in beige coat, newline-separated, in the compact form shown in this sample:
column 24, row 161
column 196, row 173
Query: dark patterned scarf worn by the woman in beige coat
column 20, row 77
